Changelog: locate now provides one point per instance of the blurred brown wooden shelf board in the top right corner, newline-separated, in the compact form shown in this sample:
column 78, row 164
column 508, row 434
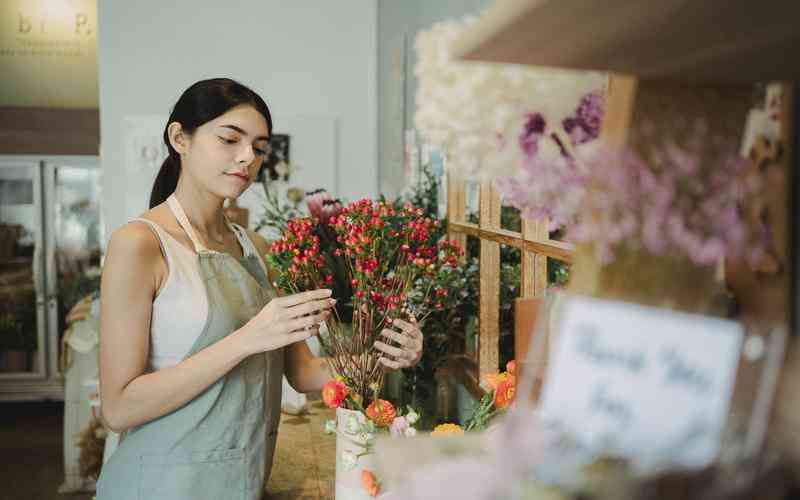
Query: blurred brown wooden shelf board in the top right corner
column 721, row 41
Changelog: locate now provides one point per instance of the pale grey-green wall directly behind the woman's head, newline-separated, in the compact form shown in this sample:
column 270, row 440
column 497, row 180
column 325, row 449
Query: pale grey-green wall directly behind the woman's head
column 312, row 61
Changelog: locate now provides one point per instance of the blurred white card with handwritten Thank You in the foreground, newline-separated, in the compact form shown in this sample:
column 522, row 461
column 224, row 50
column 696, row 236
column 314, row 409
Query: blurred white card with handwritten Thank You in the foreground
column 644, row 383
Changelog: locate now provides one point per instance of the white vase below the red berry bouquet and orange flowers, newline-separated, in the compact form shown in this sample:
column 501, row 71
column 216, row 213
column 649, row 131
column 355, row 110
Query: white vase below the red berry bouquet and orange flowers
column 348, row 479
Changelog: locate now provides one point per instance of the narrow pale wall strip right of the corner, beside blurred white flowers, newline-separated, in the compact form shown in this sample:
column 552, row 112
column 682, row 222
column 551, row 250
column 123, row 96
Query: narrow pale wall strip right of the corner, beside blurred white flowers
column 398, row 24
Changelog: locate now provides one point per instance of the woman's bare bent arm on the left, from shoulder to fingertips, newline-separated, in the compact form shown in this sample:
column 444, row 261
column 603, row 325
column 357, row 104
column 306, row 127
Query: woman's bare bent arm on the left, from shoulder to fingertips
column 131, row 397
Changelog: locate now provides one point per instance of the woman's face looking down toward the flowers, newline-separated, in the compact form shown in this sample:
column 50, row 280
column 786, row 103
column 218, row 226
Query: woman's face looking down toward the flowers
column 224, row 155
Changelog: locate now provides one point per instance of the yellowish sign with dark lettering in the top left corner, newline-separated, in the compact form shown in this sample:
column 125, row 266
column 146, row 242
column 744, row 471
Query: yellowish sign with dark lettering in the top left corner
column 48, row 53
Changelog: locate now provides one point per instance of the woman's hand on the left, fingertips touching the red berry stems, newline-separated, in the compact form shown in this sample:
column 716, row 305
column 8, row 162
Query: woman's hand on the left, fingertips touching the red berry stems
column 286, row 320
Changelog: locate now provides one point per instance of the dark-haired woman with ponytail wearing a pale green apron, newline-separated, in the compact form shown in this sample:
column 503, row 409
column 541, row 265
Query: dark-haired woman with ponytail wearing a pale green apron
column 194, row 340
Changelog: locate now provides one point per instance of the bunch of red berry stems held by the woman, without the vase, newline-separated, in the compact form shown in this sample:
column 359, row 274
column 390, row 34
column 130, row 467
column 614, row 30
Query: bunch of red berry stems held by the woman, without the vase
column 373, row 255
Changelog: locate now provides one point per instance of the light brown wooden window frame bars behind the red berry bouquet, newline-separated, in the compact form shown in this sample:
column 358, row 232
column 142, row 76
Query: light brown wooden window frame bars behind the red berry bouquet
column 535, row 246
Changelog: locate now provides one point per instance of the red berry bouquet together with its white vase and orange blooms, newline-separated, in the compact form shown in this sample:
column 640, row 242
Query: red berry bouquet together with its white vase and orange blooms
column 379, row 260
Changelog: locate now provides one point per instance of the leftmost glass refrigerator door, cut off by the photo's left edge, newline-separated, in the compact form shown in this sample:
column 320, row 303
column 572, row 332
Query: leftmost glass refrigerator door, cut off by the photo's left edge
column 22, row 316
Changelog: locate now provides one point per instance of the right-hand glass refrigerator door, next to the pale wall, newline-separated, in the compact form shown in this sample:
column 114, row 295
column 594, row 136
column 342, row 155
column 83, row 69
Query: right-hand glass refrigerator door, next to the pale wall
column 74, row 238
